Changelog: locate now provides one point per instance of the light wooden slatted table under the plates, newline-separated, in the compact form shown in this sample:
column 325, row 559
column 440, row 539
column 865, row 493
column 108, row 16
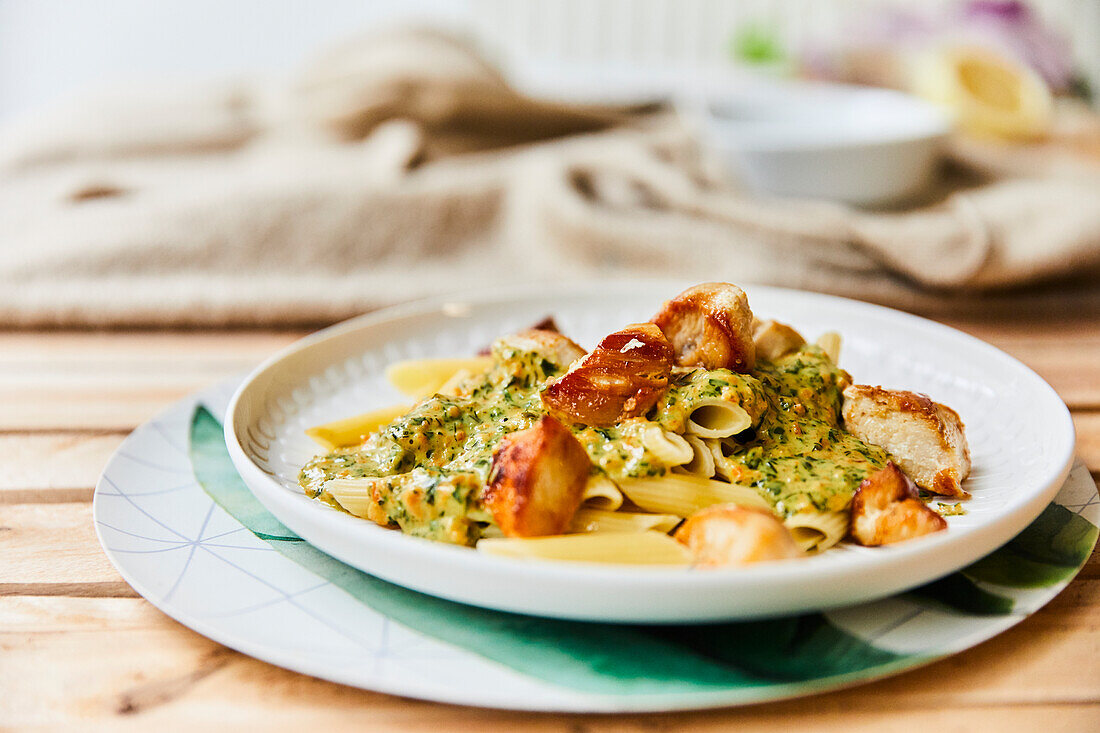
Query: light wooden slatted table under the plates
column 78, row 646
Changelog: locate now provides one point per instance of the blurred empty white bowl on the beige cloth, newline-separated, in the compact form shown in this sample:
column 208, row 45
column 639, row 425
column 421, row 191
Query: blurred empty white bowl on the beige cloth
column 854, row 145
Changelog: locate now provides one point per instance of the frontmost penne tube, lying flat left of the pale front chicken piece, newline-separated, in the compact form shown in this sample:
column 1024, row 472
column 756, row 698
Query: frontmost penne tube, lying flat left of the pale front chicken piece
column 617, row 548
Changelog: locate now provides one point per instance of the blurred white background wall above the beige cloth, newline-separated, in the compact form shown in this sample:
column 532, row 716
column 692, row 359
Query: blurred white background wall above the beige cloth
column 51, row 49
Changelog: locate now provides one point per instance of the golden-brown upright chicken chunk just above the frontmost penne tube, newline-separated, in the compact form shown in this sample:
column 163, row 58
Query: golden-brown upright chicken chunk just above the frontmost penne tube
column 537, row 480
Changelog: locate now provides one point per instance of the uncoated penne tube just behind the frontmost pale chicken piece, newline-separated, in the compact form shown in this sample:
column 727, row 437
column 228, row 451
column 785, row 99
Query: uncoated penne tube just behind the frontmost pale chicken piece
column 684, row 496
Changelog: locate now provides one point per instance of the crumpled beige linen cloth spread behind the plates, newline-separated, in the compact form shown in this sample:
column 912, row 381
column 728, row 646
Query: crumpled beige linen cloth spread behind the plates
column 404, row 166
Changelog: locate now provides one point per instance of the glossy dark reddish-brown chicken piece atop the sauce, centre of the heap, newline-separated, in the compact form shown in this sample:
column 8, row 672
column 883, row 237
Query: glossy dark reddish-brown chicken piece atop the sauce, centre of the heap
column 622, row 378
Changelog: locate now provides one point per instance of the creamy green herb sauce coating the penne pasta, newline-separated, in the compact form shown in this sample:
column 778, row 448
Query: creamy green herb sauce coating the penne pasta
column 433, row 463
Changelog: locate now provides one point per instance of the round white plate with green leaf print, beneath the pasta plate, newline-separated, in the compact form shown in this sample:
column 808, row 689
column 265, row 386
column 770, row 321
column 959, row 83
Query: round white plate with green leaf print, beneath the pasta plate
column 182, row 528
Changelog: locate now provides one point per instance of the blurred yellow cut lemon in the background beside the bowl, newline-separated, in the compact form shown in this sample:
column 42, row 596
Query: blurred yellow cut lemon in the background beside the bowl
column 992, row 95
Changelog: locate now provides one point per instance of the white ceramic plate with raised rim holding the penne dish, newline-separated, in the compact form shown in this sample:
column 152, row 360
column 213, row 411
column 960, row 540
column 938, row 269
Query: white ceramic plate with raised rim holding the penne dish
column 1021, row 439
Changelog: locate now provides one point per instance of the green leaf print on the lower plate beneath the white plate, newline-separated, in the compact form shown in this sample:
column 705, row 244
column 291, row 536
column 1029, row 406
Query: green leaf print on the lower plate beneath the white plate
column 635, row 660
